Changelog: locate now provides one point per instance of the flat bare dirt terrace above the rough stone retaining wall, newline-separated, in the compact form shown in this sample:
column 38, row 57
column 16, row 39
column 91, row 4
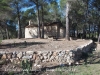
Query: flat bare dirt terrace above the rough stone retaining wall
column 40, row 44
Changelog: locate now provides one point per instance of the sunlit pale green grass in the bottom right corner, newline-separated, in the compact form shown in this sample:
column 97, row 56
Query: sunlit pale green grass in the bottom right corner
column 89, row 69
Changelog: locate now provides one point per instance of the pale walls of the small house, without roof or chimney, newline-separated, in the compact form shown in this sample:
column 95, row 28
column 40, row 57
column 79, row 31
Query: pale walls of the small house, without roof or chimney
column 31, row 32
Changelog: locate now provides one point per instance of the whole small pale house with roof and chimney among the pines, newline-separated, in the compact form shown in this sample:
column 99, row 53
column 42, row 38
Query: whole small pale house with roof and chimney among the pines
column 54, row 29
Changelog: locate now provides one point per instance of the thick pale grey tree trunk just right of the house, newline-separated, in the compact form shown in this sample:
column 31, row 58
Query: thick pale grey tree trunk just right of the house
column 67, row 21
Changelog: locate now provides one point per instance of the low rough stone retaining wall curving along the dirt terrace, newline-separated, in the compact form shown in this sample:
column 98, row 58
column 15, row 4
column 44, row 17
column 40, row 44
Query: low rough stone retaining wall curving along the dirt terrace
column 39, row 57
